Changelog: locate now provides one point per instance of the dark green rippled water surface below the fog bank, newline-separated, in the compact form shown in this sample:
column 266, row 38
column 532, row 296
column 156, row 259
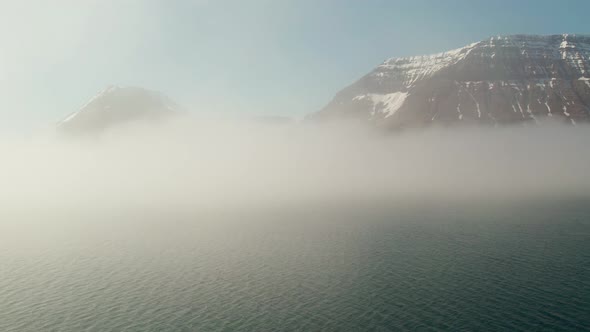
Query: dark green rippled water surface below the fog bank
column 422, row 266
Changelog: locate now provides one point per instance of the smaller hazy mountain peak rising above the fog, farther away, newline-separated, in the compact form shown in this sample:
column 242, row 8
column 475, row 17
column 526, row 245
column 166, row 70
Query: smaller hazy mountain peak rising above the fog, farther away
column 117, row 105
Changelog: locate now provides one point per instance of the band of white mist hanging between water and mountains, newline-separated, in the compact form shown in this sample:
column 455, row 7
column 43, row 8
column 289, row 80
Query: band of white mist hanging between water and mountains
column 188, row 165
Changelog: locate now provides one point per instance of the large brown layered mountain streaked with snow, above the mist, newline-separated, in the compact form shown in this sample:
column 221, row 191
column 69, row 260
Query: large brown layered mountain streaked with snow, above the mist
column 505, row 79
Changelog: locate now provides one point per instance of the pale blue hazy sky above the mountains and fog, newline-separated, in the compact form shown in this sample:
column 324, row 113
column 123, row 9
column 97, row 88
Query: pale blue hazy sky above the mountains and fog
column 256, row 57
